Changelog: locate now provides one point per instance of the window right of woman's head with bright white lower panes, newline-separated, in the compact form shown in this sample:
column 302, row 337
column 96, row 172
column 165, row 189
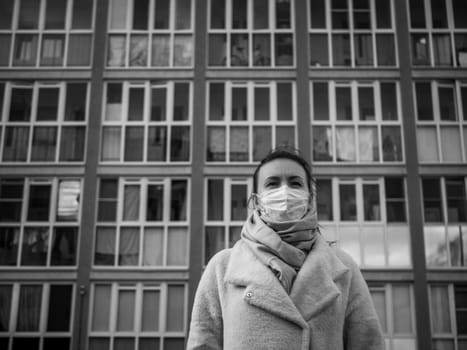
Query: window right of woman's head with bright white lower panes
column 367, row 218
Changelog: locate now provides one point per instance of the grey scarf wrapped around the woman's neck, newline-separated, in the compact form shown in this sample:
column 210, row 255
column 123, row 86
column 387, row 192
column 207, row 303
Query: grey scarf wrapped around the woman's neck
column 281, row 246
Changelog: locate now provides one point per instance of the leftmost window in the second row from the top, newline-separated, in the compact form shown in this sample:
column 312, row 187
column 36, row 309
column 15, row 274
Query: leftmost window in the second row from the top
column 43, row 122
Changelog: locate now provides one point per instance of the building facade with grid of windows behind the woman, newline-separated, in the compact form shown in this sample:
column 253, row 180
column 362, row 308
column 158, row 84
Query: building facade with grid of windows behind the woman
column 129, row 131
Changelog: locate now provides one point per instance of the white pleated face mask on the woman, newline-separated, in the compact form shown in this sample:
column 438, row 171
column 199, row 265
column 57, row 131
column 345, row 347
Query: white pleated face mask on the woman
column 284, row 203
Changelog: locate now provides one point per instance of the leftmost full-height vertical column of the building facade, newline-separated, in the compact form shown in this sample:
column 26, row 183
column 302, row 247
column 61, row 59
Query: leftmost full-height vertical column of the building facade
column 90, row 179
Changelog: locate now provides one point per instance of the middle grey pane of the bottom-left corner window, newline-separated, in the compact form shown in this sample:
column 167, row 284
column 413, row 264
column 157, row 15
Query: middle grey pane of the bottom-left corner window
column 29, row 308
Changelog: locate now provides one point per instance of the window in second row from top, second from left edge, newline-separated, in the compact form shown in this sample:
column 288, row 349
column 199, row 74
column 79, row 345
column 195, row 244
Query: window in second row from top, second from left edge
column 147, row 122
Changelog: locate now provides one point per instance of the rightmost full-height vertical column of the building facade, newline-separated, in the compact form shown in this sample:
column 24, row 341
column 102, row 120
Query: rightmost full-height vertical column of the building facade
column 413, row 179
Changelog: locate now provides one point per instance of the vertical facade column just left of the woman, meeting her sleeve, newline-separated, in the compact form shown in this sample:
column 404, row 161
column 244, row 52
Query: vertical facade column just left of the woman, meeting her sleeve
column 198, row 151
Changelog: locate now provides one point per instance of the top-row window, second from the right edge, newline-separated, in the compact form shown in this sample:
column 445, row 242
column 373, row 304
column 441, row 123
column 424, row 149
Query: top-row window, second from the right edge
column 346, row 33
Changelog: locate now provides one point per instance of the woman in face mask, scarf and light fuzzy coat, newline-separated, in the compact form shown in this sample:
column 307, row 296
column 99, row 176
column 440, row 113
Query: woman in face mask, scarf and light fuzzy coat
column 282, row 286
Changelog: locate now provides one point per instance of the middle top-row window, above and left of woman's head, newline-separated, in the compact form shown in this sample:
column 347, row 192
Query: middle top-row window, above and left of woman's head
column 247, row 33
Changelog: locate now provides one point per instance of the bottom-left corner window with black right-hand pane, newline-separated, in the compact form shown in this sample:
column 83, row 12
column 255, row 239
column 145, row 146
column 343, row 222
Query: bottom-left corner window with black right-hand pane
column 36, row 315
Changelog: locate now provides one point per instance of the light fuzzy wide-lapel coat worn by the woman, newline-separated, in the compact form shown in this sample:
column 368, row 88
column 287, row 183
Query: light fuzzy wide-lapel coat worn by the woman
column 240, row 304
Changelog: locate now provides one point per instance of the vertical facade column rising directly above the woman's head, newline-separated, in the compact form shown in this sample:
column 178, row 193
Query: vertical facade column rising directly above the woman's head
column 302, row 79
